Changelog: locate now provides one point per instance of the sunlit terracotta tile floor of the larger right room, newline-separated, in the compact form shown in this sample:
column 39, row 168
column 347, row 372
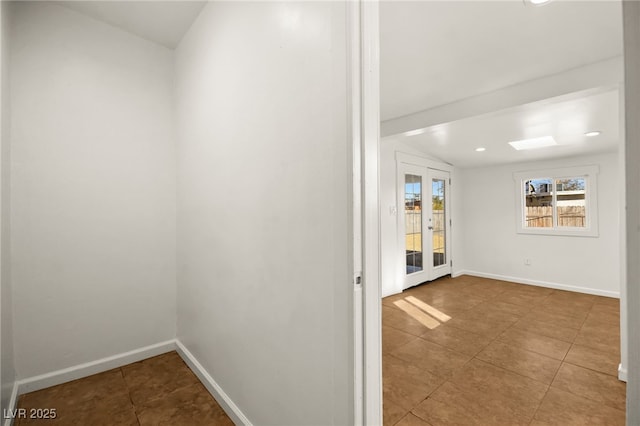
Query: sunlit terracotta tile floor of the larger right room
column 500, row 354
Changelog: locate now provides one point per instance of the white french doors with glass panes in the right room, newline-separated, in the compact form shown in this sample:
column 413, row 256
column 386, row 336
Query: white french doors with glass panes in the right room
column 423, row 223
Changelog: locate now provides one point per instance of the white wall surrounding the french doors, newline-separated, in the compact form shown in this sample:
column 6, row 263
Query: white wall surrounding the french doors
column 392, row 271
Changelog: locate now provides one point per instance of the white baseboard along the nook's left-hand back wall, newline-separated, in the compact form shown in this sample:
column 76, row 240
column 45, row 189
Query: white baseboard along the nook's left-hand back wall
column 79, row 371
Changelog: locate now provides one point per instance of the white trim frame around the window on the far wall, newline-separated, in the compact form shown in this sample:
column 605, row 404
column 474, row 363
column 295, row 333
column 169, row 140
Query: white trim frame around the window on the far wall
column 591, row 199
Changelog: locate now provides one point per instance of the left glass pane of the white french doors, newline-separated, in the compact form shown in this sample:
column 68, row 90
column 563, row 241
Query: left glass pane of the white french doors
column 413, row 223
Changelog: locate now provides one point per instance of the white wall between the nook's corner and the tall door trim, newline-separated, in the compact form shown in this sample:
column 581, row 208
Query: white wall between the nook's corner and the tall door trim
column 263, row 276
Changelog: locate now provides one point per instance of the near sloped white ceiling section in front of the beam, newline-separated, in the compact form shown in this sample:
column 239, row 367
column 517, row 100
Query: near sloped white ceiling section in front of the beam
column 434, row 53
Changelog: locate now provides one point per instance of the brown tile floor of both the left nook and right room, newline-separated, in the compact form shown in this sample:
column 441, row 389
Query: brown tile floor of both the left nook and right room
column 457, row 351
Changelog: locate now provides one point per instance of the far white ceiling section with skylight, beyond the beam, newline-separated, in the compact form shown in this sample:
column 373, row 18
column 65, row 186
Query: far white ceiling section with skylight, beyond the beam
column 566, row 119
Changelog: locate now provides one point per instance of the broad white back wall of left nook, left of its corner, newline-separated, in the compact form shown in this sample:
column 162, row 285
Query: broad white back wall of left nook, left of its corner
column 93, row 190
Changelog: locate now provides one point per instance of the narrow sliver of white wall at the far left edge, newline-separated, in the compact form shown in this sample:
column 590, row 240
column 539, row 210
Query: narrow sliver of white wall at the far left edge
column 7, row 371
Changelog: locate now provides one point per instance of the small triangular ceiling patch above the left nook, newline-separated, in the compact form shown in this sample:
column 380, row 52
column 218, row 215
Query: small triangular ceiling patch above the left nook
column 163, row 22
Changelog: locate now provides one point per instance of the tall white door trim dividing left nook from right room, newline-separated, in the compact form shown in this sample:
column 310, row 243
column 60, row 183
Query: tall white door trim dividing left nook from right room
column 365, row 134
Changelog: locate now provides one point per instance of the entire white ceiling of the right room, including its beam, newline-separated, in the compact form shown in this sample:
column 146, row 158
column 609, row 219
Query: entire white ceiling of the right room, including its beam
column 465, row 74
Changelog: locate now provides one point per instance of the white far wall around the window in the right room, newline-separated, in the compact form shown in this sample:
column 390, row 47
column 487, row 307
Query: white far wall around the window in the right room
column 493, row 248
